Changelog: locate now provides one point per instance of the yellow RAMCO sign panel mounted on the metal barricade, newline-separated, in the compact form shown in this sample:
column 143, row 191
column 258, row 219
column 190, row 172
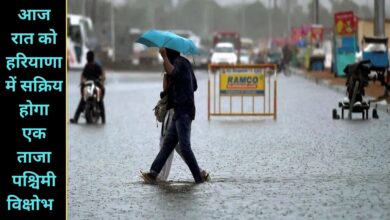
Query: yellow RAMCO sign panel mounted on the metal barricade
column 242, row 82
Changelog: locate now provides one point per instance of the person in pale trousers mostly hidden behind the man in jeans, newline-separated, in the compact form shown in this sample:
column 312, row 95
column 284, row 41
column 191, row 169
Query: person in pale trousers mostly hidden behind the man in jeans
column 163, row 176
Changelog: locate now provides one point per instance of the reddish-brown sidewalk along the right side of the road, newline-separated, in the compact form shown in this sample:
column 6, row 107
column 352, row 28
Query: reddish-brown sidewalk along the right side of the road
column 328, row 79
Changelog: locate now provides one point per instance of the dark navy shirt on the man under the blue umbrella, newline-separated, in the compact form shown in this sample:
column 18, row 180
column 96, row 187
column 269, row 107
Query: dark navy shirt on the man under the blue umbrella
column 182, row 86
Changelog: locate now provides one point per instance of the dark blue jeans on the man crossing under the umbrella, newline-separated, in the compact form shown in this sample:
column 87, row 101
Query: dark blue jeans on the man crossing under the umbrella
column 178, row 132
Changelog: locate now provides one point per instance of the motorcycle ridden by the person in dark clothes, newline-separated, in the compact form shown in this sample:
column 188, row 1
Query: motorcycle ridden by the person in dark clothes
column 92, row 95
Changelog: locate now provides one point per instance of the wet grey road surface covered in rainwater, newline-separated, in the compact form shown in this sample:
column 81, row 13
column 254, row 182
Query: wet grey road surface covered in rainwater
column 304, row 165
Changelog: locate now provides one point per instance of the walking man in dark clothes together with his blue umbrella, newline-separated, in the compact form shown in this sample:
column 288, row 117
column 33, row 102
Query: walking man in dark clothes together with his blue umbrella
column 181, row 98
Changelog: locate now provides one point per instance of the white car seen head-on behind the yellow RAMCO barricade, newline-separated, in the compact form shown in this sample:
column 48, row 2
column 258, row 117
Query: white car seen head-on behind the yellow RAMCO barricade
column 224, row 53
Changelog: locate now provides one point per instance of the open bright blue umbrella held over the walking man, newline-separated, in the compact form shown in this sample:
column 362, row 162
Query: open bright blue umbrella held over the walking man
column 157, row 38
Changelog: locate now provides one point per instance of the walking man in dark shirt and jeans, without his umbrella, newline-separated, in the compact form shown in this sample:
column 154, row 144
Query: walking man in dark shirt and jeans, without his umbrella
column 181, row 93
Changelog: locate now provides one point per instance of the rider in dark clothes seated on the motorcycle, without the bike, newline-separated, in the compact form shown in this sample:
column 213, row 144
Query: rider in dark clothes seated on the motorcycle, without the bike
column 91, row 71
